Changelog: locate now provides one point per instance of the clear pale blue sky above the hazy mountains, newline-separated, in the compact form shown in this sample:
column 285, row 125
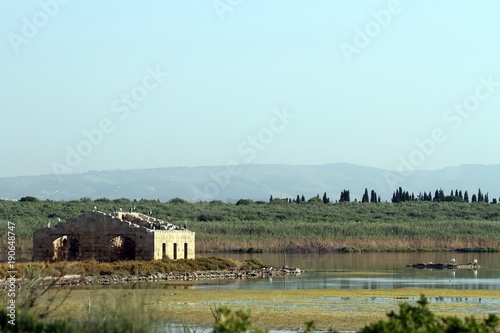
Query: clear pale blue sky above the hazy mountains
column 99, row 85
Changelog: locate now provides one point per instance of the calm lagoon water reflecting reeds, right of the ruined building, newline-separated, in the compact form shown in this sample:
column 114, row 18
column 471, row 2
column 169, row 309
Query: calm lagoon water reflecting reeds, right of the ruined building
column 369, row 271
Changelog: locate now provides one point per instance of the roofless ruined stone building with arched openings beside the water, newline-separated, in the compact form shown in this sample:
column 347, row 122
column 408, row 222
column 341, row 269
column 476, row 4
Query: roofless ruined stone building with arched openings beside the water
column 110, row 237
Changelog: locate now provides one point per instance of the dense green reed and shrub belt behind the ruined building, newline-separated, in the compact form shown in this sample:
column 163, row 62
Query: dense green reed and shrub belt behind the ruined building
column 284, row 224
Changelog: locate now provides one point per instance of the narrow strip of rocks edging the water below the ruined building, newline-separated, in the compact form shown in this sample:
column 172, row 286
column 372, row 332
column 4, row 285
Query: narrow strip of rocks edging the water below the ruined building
column 114, row 279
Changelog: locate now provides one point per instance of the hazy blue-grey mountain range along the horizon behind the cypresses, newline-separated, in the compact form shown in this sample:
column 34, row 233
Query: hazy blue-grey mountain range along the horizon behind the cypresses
column 251, row 181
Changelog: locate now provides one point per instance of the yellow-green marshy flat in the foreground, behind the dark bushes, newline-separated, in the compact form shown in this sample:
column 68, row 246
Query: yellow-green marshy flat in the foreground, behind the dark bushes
column 272, row 309
